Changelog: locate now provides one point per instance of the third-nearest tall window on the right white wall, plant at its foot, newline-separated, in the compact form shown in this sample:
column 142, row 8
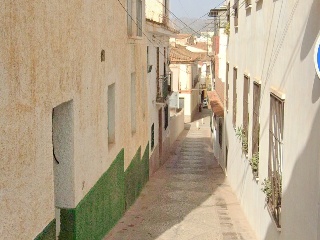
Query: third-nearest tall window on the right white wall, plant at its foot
column 245, row 113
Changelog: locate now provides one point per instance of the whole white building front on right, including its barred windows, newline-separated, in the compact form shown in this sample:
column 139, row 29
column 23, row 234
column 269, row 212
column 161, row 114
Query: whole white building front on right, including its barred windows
column 272, row 119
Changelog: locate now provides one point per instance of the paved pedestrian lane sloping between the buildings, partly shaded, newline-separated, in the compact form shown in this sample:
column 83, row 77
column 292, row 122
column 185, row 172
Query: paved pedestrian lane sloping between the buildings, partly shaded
column 188, row 198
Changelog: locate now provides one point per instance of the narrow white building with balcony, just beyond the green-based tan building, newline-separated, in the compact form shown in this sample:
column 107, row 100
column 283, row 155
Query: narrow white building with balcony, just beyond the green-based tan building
column 158, row 80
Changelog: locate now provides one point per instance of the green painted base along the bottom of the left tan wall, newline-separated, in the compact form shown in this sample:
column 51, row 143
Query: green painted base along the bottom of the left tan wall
column 105, row 203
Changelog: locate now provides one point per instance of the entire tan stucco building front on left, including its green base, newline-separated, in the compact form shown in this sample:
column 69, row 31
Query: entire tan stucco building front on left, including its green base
column 74, row 143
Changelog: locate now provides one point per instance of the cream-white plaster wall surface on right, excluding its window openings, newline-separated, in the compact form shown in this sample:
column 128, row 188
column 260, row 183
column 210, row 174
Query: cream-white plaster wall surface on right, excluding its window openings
column 274, row 44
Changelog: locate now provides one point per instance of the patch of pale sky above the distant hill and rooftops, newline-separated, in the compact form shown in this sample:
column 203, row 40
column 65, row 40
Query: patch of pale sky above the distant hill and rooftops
column 192, row 8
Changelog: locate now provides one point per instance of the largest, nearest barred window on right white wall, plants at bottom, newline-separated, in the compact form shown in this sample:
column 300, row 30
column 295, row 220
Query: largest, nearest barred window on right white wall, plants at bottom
column 275, row 155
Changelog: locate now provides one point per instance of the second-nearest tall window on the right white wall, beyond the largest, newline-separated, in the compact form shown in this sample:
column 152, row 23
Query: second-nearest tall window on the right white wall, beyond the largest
column 255, row 118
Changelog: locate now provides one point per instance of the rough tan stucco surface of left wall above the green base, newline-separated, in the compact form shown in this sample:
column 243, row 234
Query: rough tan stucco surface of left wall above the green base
column 50, row 54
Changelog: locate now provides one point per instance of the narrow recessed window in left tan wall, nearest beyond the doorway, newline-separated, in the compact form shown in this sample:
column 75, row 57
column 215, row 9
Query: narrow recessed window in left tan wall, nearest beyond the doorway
column 111, row 113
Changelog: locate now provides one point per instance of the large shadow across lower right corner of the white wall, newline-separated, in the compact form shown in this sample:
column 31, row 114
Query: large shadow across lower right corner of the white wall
column 300, row 199
